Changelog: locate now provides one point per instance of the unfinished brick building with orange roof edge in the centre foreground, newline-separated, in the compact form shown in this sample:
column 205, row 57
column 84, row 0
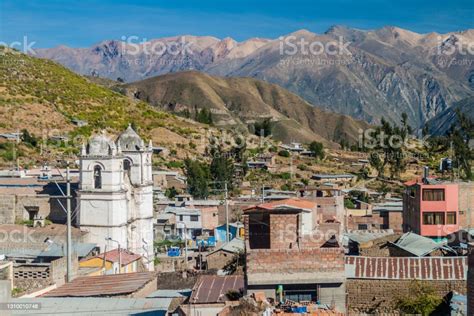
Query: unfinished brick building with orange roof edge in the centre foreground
column 292, row 251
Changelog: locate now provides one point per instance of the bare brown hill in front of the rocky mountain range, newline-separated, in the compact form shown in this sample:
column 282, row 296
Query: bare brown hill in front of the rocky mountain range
column 244, row 101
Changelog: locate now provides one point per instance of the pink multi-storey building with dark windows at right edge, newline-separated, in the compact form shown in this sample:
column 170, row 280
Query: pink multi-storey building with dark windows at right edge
column 437, row 208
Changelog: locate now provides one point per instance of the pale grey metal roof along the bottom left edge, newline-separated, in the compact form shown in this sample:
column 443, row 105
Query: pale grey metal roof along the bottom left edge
column 94, row 306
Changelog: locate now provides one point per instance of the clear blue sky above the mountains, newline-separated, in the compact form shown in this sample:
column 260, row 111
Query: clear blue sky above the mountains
column 82, row 23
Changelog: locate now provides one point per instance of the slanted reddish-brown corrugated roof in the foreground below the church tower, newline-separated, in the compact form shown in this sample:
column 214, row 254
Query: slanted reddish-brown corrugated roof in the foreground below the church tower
column 104, row 285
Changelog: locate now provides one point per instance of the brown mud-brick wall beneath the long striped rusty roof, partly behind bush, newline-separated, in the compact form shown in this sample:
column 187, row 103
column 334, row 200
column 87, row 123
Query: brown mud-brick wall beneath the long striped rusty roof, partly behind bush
column 379, row 296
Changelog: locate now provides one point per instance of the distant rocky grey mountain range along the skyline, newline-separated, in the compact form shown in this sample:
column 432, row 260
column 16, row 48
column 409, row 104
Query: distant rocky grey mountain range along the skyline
column 365, row 74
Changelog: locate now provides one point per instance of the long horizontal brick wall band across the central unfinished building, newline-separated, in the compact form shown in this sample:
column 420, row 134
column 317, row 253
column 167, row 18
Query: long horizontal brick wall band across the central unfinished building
column 295, row 260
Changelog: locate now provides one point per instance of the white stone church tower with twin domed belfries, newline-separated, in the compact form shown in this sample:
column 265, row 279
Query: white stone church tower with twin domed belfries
column 116, row 193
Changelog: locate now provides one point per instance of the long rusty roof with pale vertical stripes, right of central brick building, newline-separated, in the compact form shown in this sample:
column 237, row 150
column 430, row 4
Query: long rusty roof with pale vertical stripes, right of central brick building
column 401, row 268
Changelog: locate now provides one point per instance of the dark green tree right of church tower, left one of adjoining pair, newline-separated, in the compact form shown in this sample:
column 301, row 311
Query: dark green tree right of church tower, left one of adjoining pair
column 198, row 177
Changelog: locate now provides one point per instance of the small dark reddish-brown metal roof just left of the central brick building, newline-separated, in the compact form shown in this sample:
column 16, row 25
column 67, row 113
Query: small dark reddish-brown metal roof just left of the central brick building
column 212, row 288
